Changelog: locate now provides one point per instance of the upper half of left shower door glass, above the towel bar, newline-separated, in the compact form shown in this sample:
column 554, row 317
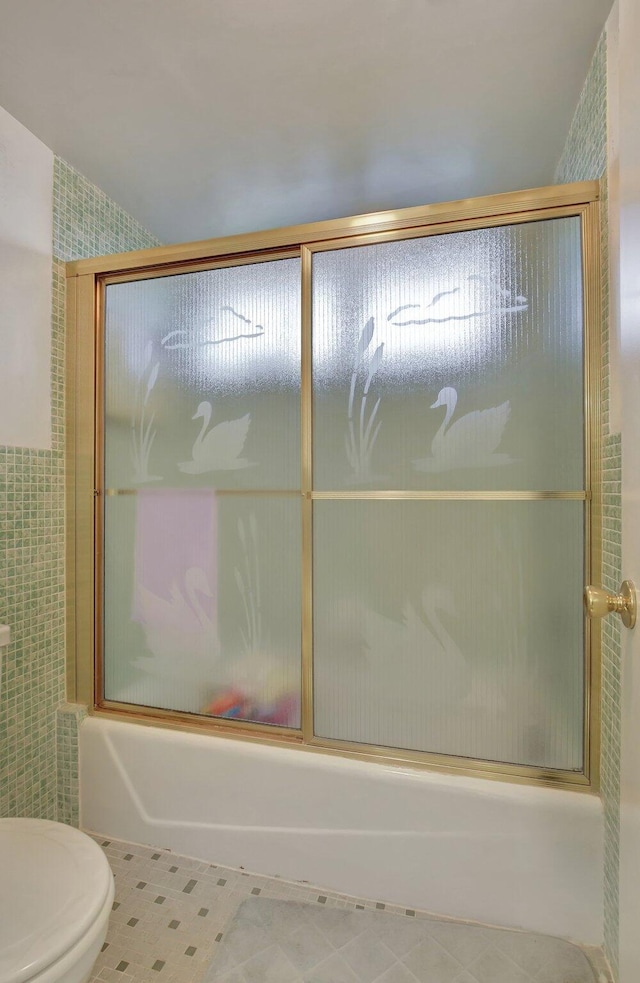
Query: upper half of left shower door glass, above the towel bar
column 203, row 379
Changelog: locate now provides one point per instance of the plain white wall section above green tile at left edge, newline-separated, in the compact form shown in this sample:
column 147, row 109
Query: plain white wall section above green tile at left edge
column 26, row 191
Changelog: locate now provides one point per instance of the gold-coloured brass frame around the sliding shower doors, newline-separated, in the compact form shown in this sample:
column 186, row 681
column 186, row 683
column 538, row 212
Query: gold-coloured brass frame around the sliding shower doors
column 86, row 283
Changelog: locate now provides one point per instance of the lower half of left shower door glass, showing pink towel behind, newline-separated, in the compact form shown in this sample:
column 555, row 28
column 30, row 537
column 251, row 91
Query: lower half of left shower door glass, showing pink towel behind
column 202, row 603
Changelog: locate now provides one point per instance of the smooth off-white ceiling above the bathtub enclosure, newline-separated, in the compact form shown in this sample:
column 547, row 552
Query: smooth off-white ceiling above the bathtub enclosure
column 208, row 117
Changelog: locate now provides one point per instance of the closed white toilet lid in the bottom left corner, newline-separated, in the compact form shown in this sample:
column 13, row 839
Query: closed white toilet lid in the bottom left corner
column 54, row 882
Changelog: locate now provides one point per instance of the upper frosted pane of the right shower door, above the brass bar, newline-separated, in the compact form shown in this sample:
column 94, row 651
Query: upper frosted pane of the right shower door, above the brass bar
column 451, row 361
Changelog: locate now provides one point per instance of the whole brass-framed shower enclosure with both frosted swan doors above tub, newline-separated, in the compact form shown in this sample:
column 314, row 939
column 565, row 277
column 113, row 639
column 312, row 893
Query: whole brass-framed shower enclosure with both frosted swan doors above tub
column 338, row 485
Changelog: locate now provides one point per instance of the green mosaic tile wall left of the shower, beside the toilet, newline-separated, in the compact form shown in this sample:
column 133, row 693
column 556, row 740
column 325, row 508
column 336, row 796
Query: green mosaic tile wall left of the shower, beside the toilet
column 38, row 745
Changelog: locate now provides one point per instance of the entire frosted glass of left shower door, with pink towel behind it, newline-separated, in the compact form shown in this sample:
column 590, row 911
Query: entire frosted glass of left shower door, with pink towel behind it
column 202, row 504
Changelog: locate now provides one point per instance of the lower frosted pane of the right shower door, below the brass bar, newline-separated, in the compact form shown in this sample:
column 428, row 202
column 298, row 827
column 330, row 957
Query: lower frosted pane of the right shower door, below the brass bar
column 452, row 627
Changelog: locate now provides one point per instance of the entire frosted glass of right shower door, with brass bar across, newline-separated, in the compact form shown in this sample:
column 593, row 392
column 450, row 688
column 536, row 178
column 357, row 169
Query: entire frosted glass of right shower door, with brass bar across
column 448, row 394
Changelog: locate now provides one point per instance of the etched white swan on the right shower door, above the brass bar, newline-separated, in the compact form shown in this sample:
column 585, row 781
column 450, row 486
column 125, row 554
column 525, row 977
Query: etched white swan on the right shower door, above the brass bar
column 470, row 442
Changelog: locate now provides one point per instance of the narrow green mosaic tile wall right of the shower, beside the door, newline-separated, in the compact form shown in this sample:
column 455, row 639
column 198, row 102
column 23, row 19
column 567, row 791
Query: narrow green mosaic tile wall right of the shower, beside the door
column 584, row 158
